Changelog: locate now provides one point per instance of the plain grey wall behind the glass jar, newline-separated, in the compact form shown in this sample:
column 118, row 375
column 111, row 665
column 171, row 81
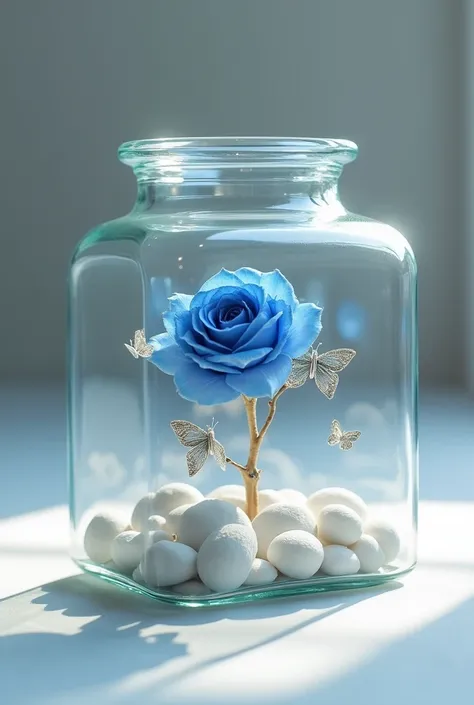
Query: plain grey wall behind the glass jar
column 78, row 78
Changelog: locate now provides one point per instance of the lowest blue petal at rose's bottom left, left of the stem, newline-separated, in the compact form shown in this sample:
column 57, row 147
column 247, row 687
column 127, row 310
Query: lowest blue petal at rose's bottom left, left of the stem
column 203, row 386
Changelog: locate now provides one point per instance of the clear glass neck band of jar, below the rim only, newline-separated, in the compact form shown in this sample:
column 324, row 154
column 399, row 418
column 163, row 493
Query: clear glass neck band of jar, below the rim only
column 250, row 191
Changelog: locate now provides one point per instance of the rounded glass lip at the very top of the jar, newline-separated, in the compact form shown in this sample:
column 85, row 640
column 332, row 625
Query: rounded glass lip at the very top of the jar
column 195, row 152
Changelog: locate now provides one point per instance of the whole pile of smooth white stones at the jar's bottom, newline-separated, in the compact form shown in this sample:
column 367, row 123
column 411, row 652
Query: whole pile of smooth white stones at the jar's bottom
column 180, row 540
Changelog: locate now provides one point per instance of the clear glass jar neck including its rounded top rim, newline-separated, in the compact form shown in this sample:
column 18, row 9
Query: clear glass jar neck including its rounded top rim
column 238, row 174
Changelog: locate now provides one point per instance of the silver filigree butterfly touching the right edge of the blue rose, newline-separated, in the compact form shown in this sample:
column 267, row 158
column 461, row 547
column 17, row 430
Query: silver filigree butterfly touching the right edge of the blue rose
column 323, row 368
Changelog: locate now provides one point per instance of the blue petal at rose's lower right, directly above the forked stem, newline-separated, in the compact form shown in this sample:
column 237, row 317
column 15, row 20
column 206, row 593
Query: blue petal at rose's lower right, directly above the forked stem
column 264, row 380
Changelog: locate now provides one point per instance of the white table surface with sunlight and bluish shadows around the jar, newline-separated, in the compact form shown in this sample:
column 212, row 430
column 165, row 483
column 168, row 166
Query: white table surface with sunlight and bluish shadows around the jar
column 76, row 640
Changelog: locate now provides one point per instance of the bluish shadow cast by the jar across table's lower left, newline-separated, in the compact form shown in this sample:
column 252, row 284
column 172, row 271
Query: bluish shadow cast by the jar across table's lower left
column 114, row 644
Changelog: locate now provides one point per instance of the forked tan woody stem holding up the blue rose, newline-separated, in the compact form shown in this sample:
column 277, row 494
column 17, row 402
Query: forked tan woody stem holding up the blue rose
column 251, row 474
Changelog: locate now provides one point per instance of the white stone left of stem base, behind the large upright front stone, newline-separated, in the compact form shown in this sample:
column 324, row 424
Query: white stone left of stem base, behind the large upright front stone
column 201, row 520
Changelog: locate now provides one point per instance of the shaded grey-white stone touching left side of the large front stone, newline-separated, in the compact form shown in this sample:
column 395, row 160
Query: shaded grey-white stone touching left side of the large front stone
column 168, row 563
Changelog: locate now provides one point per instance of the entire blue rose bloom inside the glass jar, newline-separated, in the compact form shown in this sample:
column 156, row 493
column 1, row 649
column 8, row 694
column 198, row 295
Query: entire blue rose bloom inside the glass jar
column 237, row 335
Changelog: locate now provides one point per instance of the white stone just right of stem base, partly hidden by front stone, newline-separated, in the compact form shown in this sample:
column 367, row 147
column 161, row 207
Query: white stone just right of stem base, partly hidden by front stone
column 276, row 519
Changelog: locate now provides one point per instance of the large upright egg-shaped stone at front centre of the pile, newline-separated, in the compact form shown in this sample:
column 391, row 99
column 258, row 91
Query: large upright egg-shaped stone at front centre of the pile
column 226, row 556
